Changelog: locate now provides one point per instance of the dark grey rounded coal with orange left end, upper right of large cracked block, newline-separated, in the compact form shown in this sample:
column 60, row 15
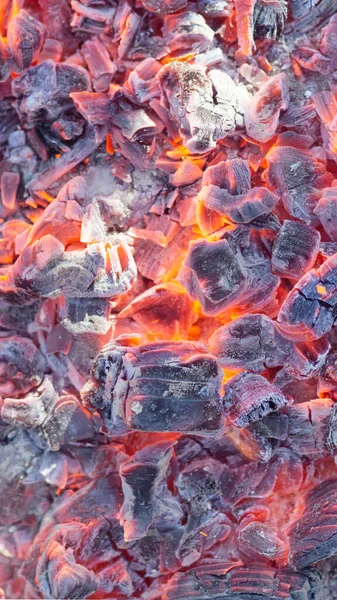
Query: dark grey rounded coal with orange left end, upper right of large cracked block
column 251, row 342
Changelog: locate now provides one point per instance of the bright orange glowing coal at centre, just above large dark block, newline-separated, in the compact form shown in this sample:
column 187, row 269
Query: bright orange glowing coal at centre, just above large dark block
column 164, row 311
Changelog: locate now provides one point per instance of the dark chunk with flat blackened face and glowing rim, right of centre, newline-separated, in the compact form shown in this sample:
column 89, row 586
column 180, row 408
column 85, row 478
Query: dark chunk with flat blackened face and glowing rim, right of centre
column 212, row 274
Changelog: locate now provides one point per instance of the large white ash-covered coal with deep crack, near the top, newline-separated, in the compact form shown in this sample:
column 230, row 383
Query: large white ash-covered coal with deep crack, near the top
column 188, row 92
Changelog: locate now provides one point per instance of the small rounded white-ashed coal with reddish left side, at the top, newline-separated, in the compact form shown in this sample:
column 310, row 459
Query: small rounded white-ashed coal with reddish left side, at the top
column 187, row 30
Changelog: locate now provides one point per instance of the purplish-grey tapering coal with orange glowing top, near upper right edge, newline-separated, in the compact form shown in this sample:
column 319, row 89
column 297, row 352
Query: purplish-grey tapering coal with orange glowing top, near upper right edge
column 296, row 175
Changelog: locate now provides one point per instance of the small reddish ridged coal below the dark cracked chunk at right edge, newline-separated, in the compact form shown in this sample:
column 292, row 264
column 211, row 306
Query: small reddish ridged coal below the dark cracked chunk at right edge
column 307, row 358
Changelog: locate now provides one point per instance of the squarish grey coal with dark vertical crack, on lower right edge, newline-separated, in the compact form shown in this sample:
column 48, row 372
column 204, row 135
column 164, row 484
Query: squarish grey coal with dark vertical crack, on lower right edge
column 311, row 427
